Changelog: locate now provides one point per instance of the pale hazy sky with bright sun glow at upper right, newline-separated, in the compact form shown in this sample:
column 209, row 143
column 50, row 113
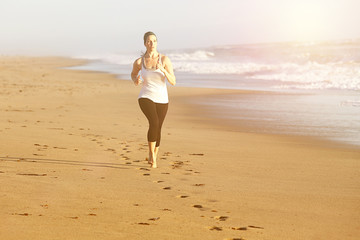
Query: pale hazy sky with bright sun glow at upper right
column 70, row 27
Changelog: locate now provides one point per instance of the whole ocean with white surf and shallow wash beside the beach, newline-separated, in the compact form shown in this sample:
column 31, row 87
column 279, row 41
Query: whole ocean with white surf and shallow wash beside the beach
column 315, row 86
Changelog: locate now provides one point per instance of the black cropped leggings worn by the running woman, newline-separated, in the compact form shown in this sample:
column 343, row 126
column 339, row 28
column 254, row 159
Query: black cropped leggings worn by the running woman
column 155, row 113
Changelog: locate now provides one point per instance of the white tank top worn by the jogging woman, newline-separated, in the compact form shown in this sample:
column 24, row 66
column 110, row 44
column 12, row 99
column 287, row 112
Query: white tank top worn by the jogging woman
column 154, row 84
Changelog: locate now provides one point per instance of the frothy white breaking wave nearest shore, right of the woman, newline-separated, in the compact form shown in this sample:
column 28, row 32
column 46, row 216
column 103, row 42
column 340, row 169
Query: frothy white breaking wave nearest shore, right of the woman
column 311, row 75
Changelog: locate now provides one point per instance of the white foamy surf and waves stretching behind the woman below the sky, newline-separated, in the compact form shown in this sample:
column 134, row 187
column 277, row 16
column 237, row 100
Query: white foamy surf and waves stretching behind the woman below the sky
column 315, row 65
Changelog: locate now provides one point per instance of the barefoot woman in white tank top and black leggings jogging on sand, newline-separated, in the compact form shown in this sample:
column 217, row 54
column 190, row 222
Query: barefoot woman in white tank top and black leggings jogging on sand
column 154, row 70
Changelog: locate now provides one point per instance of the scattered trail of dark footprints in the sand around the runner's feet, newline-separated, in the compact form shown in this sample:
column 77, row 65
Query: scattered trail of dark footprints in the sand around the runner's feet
column 125, row 155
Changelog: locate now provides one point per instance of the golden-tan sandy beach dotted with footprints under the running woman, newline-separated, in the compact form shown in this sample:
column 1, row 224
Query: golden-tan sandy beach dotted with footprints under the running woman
column 72, row 166
